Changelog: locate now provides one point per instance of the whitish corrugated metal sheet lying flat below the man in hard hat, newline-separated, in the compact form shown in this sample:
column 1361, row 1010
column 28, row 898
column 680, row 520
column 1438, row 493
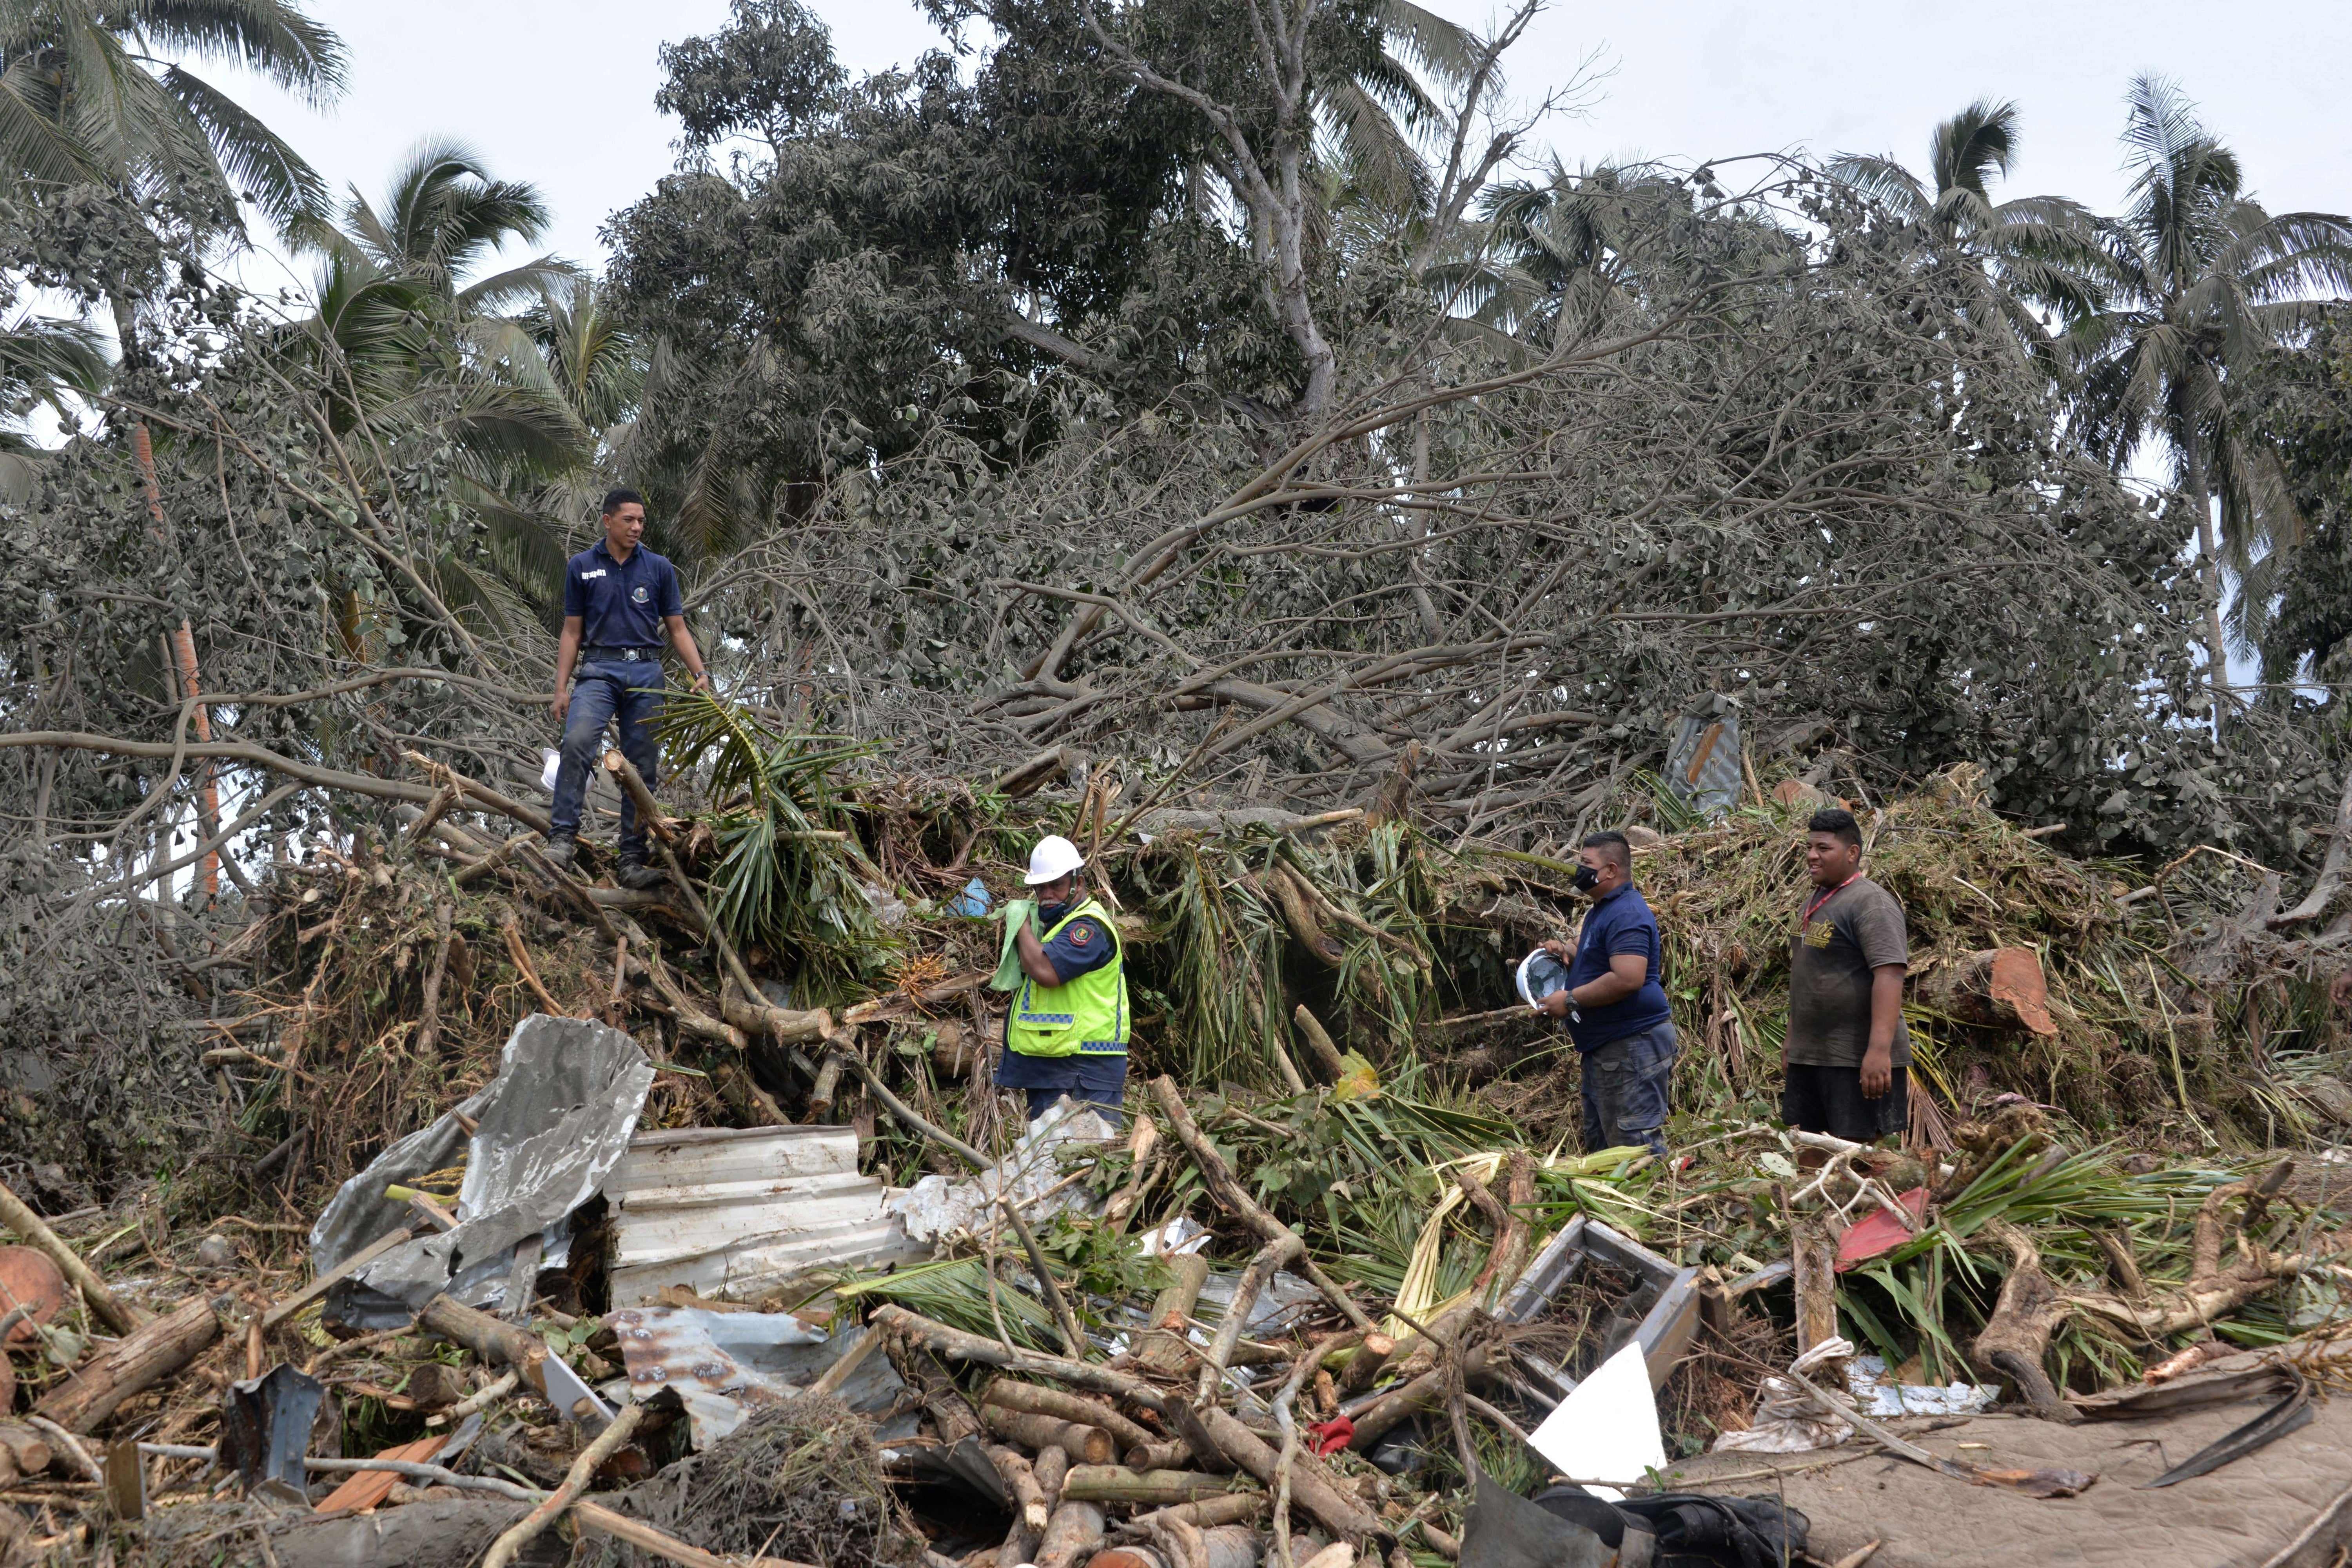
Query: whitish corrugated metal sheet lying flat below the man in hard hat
column 740, row 1212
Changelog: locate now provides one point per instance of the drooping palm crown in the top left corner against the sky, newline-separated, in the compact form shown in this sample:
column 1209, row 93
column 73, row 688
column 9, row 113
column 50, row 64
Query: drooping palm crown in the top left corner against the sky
column 100, row 95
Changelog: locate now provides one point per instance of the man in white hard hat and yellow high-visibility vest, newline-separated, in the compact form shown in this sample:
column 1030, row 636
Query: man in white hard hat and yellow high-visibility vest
column 1067, row 1033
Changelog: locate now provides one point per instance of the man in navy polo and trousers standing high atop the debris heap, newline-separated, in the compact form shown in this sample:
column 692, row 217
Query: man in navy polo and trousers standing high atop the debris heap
column 620, row 601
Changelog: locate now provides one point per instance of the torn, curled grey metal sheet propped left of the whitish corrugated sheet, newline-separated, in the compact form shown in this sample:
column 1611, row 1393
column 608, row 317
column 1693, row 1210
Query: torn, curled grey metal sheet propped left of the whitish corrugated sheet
column 547, row 1134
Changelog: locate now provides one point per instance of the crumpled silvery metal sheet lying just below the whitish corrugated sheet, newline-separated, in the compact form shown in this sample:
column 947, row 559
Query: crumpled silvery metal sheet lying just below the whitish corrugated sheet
column 728, row 1365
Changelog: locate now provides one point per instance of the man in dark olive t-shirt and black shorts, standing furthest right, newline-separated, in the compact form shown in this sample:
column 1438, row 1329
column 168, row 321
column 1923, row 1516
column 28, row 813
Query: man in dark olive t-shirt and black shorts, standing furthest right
column 1847, row 1054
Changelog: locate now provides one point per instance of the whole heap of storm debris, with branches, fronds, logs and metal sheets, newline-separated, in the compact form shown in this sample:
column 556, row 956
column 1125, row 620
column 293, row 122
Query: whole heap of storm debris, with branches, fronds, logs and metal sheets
column 690, row 1221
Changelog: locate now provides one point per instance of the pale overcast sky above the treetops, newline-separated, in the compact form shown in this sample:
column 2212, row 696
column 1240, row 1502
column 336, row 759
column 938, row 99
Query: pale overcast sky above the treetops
column 563, row 95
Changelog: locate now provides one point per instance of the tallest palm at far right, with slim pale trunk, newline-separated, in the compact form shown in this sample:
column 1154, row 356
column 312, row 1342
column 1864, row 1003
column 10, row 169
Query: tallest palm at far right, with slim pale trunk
column 2200, row 286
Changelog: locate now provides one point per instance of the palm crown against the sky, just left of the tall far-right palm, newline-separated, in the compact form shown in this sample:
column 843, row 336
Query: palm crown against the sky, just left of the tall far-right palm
column 2019, row 257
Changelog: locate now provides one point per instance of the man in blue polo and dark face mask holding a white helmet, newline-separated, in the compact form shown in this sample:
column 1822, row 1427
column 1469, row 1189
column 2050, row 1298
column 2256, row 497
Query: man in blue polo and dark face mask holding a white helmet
column 1617, row 1005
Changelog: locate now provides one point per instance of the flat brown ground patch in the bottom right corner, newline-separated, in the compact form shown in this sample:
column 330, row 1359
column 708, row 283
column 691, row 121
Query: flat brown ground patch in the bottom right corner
column 2287, row 1506
